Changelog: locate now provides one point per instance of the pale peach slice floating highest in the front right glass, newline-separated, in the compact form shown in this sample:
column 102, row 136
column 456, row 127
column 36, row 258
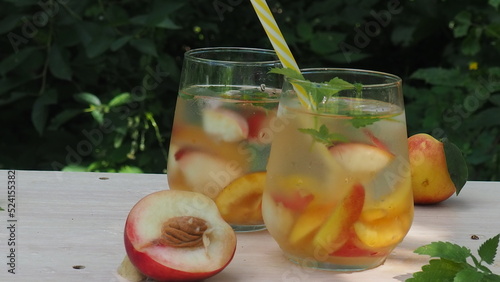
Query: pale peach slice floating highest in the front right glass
column 363, row 160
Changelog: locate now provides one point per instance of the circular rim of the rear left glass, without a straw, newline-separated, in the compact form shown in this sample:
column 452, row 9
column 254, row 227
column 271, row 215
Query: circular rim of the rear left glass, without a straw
column 193, row 54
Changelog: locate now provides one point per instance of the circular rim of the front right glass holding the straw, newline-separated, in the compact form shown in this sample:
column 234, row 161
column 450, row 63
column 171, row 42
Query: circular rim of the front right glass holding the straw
column 395, row 80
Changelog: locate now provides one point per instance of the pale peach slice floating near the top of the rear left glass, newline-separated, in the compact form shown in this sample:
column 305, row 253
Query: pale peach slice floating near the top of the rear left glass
column 227, row 125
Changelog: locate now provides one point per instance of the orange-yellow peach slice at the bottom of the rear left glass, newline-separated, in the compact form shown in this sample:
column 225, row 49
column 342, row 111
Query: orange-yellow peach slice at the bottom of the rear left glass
column 240, row 202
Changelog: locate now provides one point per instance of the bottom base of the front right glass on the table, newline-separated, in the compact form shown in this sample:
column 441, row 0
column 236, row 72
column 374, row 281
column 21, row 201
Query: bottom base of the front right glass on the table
column 345, row 264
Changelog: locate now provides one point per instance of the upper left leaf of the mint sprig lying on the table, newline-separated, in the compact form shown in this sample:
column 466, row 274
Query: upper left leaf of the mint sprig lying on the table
column 445, row 250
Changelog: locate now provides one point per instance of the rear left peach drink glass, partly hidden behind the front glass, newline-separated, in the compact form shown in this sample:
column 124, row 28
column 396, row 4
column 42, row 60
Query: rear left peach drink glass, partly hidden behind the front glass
column 220, row 138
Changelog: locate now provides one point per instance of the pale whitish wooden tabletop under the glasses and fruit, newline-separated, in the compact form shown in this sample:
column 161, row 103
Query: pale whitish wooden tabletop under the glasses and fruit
column 69, row 227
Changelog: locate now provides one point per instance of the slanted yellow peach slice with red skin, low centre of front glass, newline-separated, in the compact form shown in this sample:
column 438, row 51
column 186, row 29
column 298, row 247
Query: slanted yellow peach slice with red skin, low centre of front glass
column 335, row 231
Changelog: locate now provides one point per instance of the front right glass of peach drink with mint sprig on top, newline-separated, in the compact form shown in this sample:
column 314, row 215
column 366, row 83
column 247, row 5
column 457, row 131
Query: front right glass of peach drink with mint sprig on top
column 338, row 193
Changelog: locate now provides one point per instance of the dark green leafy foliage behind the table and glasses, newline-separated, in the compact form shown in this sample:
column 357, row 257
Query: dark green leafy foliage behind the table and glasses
column 91, row 85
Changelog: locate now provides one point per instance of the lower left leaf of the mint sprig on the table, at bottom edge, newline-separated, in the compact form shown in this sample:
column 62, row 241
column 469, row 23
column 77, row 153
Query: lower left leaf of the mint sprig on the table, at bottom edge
column 441, row 270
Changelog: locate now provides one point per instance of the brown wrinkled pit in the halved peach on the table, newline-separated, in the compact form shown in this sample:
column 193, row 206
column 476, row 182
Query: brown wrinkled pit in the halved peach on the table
column 183, row 232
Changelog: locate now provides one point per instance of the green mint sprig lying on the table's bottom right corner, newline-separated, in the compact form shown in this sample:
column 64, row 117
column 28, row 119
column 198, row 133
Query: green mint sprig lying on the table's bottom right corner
column 453, row 262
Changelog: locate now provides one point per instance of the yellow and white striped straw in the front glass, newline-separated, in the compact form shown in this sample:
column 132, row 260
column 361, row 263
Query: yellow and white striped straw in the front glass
column 279, row 44
